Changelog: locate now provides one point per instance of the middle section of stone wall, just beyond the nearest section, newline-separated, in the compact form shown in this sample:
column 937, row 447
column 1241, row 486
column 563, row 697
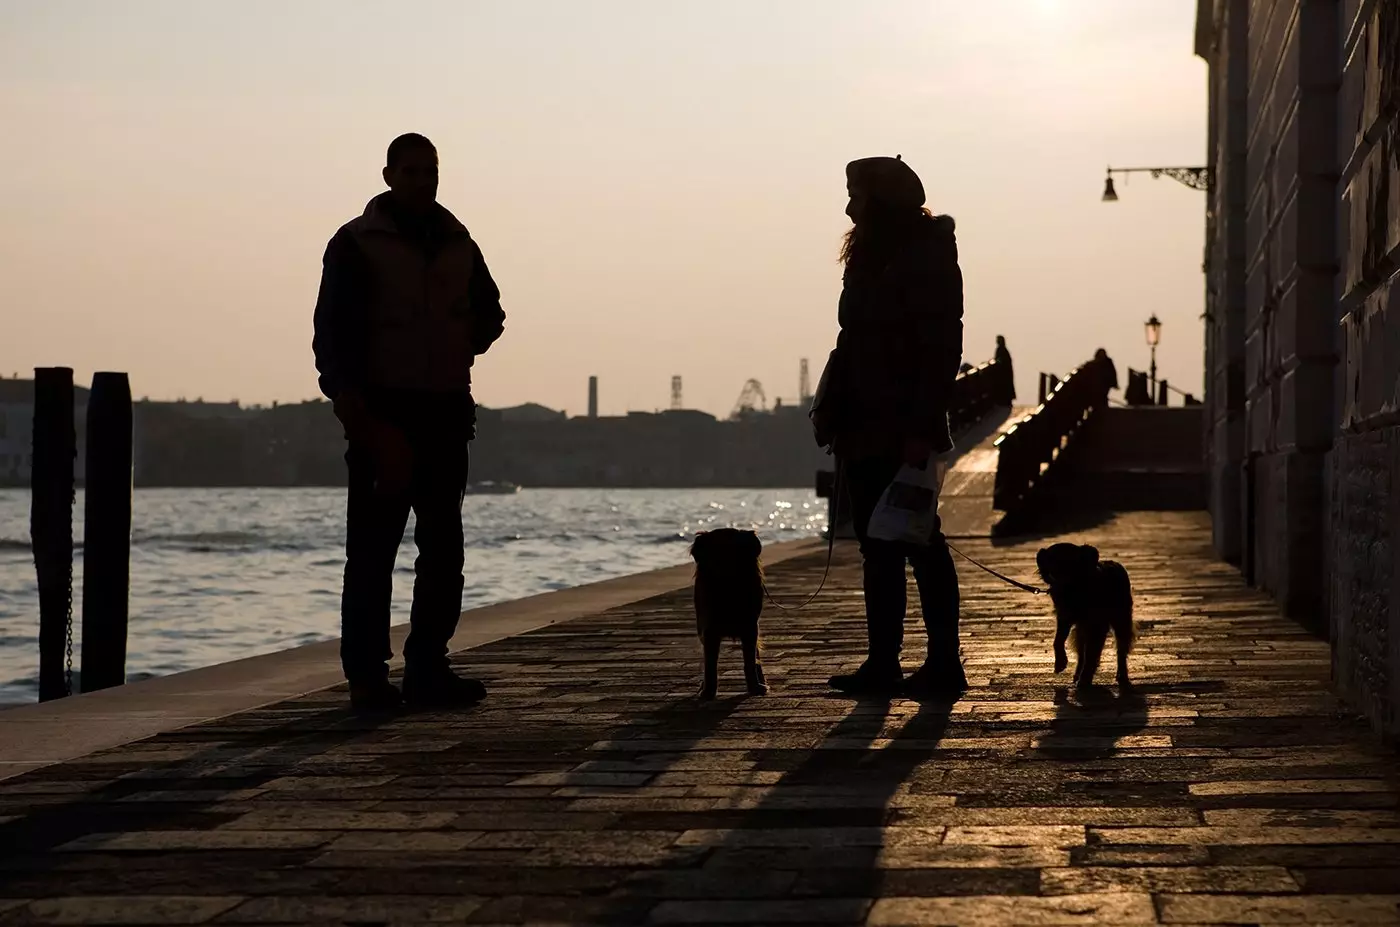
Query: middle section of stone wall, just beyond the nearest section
column 1290, row 306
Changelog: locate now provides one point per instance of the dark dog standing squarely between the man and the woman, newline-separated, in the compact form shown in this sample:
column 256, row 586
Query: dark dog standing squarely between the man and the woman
column 729, row 601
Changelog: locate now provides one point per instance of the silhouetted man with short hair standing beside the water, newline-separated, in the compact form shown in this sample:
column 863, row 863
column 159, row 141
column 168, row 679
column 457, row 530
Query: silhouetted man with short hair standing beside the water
column 405, row 306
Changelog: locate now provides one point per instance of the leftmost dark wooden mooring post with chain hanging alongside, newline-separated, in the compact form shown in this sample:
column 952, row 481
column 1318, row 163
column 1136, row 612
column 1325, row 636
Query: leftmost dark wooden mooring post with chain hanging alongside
column 51, row 526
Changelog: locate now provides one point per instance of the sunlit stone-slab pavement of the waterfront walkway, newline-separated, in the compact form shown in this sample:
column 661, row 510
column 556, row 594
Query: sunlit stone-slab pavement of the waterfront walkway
column 593, row 789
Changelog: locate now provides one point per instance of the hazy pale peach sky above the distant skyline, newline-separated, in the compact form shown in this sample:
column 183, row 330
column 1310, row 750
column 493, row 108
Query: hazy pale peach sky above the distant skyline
column 657, row 184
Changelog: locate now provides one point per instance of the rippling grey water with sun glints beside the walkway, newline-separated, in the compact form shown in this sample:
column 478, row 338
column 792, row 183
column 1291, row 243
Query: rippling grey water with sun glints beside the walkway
column 227, row 573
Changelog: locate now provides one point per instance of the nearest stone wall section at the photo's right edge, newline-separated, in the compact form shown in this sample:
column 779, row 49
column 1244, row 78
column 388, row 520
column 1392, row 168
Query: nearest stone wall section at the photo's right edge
column 1366, row 463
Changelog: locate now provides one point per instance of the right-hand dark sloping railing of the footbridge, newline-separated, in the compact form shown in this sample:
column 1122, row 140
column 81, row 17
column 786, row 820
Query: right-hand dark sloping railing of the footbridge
column 1028, row 449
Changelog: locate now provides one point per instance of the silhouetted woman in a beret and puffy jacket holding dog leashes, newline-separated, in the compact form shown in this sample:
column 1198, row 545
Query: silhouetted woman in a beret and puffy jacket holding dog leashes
column 884, row 403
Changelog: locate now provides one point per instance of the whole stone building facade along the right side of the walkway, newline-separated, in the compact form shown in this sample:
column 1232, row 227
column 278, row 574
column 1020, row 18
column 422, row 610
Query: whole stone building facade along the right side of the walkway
column 1304, row 319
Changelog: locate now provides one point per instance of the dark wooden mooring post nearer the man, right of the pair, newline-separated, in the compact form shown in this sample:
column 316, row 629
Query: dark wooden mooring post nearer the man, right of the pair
column 107, row 537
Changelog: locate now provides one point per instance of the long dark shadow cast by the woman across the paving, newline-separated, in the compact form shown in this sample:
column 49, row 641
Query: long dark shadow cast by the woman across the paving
column 807, row 848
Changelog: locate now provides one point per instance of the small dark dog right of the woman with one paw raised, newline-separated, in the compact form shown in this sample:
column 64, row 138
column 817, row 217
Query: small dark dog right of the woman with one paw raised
column 1091, row 599
